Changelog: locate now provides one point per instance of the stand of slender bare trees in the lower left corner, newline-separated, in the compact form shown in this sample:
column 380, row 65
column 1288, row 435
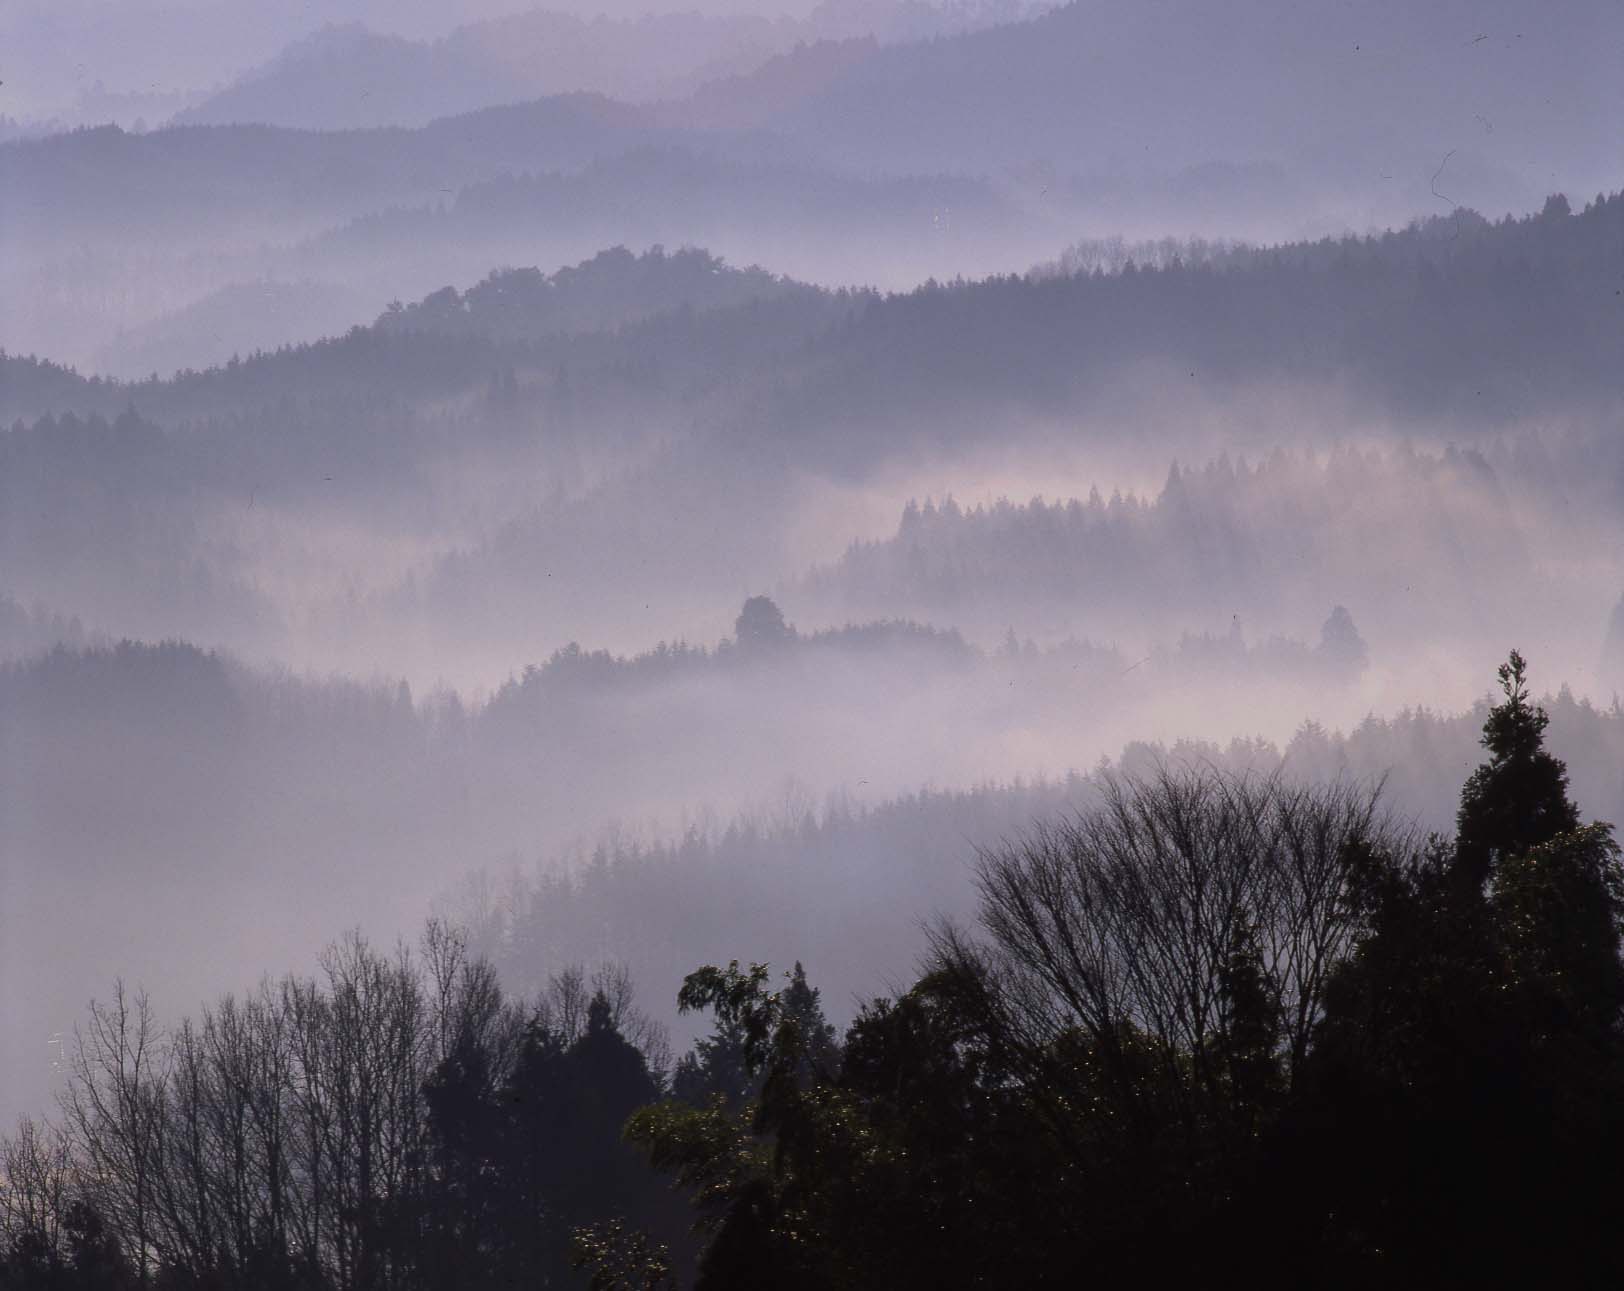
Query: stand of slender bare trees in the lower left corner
column 285, row 1134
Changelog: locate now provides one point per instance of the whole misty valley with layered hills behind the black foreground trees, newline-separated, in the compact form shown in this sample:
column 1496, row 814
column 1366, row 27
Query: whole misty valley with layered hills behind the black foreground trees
column 637, row 491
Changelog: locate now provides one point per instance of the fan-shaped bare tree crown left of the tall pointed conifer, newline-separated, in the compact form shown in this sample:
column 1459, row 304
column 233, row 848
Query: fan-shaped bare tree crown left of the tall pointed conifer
column 1133, row 920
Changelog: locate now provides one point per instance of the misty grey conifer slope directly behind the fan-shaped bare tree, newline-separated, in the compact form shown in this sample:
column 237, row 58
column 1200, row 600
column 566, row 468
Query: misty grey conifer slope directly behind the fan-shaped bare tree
column 845, row 879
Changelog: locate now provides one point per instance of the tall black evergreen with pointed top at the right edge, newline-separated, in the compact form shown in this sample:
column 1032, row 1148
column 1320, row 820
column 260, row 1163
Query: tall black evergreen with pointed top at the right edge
column 1469, row 1068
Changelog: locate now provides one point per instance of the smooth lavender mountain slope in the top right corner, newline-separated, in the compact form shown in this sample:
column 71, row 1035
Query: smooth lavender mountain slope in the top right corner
column 1373, row 95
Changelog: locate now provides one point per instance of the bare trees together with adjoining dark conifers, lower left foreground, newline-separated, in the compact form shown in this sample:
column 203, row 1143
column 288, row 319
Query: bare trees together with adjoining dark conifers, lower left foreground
column 392, row 1123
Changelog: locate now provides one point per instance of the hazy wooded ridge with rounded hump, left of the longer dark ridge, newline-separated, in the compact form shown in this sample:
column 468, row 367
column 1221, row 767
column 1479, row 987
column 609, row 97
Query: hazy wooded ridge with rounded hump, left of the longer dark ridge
column 607, row 337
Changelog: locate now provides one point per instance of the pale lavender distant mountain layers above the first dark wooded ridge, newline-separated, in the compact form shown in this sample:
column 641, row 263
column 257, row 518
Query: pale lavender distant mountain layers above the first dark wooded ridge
column 985, row 142
